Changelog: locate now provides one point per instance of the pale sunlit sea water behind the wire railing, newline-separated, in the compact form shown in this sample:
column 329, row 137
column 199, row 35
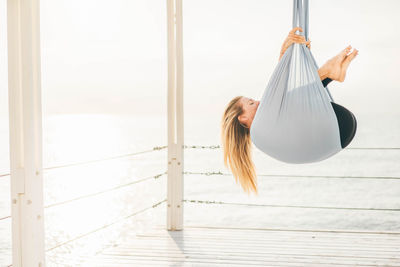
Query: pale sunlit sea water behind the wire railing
column 73, row 138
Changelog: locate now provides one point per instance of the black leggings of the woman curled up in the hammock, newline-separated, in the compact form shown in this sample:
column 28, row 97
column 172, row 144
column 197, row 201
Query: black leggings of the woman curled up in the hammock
column 346, row 120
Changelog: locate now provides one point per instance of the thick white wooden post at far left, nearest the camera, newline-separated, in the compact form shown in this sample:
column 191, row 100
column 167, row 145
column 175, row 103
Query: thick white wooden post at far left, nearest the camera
column 25, row 118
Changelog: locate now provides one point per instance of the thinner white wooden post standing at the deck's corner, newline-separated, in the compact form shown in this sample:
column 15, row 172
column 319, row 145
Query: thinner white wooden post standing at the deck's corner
column 175, row 116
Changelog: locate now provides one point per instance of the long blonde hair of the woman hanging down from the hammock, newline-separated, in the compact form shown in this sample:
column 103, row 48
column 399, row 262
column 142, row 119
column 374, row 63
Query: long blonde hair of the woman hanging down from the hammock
column 236, row 144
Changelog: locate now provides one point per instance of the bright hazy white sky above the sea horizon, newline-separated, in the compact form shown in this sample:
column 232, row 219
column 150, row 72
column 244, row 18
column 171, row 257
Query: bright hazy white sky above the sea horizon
column 110, row 56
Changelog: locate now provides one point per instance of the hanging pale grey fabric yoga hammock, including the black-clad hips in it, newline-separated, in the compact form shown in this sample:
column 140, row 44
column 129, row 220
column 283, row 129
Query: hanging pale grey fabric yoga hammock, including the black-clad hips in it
column 297, row 120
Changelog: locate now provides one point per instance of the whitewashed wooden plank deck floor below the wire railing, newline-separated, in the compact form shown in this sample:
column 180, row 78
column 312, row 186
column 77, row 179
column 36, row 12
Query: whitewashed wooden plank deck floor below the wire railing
column 204, row 246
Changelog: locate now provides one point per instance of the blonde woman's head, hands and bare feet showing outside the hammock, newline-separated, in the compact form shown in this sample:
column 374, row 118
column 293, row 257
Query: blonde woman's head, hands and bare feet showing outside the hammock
column 240, row 111
